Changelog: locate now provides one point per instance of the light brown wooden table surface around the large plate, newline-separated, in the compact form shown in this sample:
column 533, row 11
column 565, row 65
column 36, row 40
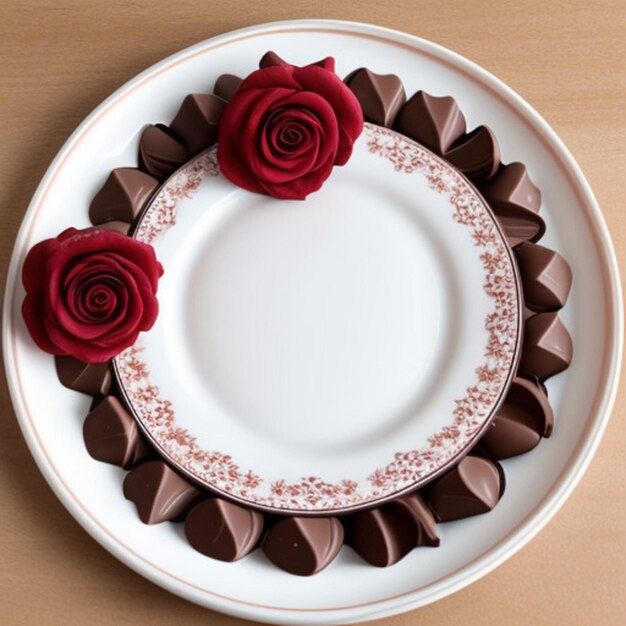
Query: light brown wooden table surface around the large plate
column 60, row 59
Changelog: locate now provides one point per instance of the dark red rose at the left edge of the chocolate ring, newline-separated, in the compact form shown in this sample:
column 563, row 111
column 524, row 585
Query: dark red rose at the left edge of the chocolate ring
column 89, row 293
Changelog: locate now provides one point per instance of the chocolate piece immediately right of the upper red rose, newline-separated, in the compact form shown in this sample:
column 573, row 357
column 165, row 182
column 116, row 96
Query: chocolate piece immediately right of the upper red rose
column 381, row 95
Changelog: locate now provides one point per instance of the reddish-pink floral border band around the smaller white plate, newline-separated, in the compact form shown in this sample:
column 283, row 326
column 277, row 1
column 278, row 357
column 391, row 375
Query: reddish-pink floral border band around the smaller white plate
column 407, row 469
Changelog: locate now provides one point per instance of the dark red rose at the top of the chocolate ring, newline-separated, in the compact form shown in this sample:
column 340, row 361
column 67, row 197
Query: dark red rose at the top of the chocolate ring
column 285, row 129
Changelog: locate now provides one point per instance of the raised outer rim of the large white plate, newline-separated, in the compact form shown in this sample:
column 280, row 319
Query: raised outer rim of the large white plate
column 528, row 527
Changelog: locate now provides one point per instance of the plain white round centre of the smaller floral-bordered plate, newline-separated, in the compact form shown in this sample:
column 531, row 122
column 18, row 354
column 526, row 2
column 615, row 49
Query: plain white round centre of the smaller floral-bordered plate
column 316, row 323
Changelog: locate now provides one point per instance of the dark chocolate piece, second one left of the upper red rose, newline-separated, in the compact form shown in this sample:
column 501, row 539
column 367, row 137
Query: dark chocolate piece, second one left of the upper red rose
column 197, row 120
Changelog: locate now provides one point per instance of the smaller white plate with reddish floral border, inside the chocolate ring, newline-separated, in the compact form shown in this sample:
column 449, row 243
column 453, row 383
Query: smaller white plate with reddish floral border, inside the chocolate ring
column 330, row 354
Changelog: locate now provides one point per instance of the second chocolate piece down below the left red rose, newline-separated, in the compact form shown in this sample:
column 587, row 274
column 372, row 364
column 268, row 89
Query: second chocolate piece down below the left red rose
column 111, row 435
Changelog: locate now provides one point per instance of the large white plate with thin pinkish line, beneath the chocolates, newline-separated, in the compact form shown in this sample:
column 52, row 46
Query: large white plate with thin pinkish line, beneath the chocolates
column 348, row 591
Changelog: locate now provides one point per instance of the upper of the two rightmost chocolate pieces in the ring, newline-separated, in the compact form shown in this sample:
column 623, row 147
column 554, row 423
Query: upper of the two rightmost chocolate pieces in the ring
column 546, row 277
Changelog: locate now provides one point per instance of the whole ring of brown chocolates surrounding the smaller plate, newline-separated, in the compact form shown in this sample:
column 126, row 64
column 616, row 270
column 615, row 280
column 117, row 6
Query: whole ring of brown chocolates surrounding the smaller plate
column 385, row 534
